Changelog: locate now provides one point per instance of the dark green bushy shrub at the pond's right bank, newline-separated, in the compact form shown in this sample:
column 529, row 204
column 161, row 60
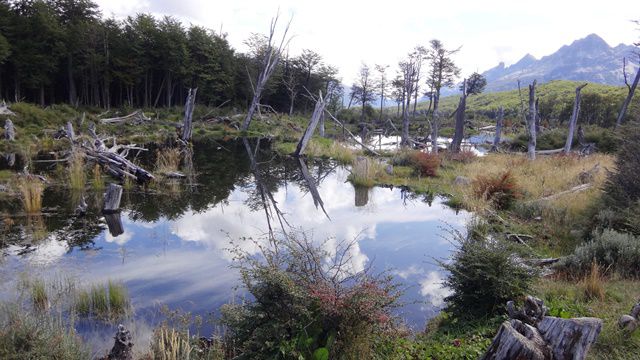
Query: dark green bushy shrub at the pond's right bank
column 483, row 275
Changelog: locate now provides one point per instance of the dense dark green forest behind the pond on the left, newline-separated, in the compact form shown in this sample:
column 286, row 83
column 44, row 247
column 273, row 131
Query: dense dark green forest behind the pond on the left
column 64, row 51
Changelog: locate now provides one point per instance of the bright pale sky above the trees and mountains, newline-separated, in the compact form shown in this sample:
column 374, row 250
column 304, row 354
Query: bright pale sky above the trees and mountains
column 347, row 33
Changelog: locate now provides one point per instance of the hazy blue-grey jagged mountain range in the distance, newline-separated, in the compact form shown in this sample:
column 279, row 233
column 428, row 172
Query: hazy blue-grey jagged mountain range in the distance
column 589, row 59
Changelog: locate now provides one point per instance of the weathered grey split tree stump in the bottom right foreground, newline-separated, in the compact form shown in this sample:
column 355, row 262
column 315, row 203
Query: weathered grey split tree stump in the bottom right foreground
column 532, row 335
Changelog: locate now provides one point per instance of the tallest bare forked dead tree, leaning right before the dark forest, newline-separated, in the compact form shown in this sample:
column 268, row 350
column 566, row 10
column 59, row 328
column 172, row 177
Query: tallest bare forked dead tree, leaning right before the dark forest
column 272, row 55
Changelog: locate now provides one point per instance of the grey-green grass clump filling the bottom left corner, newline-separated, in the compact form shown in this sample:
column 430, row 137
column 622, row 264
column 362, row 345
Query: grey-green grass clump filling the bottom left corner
column 27, row 335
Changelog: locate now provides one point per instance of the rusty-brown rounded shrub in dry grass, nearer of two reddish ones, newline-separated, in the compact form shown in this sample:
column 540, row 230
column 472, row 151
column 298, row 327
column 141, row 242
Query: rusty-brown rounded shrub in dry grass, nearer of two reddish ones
column 502, row 189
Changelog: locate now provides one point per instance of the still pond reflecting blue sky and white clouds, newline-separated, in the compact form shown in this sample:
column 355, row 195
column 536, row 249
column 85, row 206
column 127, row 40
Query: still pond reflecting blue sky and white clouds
column 170, row 245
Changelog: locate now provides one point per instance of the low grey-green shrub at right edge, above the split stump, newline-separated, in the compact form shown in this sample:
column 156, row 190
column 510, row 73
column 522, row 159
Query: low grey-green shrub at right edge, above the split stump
column 617, row 252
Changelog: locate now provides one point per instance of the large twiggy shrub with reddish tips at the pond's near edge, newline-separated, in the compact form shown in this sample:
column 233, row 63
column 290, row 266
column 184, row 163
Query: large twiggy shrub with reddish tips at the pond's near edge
column 307, row 303
